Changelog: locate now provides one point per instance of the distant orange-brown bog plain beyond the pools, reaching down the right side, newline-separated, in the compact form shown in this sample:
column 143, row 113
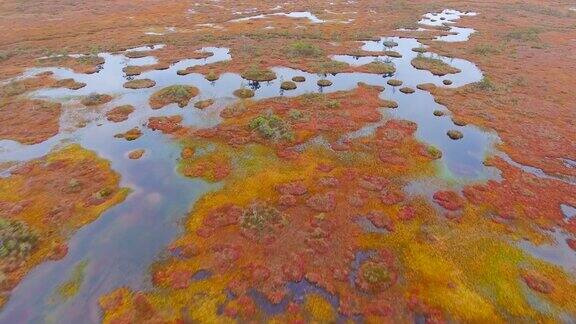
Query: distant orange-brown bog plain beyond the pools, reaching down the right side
column 526, row 34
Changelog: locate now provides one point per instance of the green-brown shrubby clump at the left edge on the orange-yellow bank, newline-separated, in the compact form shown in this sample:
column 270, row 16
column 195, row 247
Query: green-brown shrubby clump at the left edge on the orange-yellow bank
column 17, row 239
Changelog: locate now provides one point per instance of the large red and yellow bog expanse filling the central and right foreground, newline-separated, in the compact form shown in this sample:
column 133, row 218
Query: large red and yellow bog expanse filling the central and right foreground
column 337, row 218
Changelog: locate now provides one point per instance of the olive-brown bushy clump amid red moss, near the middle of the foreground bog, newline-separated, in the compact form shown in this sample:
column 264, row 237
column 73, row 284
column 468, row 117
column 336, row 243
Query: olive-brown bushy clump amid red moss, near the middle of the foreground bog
column 260, row 216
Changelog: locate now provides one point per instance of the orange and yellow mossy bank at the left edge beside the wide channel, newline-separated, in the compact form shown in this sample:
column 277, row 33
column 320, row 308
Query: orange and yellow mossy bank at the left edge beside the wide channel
column 44, row 201
